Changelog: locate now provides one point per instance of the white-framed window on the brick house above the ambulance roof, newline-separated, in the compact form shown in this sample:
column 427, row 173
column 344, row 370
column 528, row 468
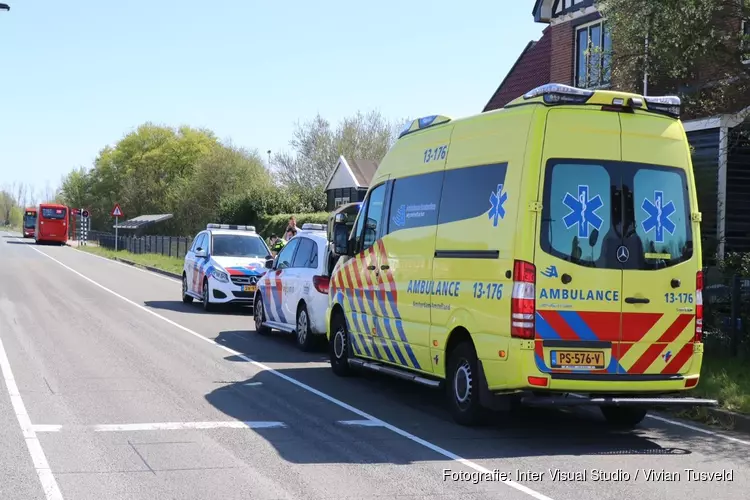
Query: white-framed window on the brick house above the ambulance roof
column 593, row 55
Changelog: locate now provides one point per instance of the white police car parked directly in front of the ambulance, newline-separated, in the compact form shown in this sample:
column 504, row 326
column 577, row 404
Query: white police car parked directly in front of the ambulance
column 293, row 294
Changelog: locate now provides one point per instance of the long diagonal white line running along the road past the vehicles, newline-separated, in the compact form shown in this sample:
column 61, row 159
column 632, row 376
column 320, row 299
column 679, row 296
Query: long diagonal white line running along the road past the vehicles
column 437, row 449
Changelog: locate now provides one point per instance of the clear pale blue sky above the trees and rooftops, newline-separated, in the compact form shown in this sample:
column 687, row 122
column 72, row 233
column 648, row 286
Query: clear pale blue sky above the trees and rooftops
column 77, row 76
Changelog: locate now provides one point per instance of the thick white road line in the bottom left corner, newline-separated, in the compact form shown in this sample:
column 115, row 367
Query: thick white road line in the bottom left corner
column 43, row 471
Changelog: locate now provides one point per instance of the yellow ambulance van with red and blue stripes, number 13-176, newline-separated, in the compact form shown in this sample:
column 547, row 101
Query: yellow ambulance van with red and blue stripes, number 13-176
column 545, row 250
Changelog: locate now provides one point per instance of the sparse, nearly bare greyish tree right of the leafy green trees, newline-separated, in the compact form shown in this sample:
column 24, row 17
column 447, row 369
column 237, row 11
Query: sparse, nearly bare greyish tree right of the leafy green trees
column 316, row 147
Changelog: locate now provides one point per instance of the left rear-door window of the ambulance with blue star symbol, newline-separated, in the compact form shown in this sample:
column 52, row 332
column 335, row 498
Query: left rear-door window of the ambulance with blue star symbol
column 576, row 213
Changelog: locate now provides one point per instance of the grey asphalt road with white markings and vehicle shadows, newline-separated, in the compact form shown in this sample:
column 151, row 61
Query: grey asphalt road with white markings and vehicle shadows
column 115, row 389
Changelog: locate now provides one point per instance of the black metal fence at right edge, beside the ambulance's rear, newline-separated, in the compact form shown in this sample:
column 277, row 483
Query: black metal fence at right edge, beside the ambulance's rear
column 726, row 312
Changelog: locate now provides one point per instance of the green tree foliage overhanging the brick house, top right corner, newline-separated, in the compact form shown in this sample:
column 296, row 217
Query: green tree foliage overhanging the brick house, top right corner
column 694, row 46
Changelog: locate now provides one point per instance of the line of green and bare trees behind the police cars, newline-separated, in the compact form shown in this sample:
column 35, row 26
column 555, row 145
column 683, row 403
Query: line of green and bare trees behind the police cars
column 190, row 173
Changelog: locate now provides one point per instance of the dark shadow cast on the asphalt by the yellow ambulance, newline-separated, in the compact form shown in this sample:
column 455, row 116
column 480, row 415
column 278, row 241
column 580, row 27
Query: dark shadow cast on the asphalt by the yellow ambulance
column 419, row 410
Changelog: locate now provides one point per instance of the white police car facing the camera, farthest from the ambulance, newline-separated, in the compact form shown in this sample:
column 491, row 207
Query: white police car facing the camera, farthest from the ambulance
column 223, row 265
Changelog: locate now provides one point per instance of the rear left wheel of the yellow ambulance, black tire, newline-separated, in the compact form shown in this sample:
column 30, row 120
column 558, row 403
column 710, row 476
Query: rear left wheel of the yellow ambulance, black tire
column 462, row 387
